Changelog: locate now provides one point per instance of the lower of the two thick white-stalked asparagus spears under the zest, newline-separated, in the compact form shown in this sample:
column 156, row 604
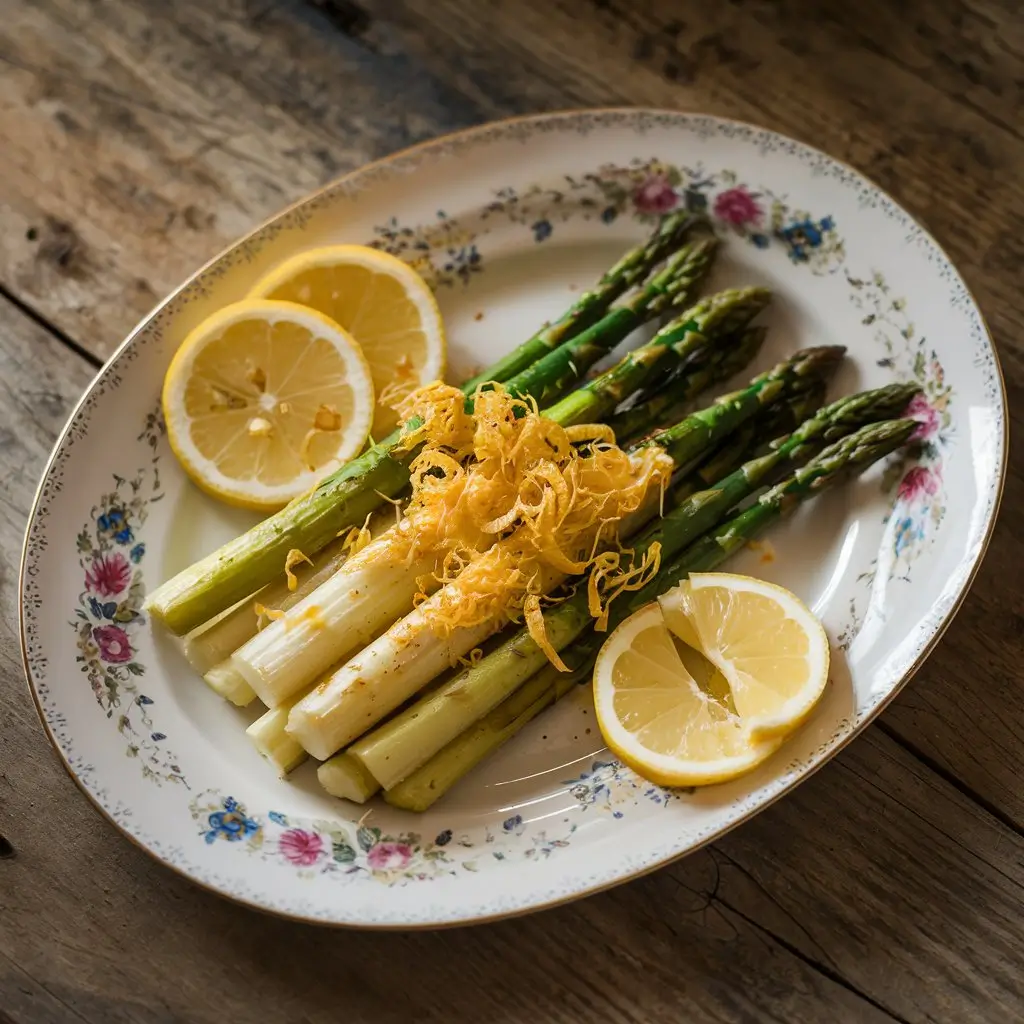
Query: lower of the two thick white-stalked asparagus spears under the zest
column 401, row 662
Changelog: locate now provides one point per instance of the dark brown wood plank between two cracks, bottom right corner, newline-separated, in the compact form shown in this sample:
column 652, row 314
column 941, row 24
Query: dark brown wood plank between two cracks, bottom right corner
column 894, row 880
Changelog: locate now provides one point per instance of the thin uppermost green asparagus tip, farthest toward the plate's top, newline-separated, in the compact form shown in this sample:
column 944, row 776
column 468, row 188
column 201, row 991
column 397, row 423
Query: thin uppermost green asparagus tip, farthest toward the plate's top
column 592, row 306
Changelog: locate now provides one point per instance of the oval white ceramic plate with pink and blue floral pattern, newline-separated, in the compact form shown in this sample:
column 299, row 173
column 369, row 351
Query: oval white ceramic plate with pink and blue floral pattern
column 508, row 223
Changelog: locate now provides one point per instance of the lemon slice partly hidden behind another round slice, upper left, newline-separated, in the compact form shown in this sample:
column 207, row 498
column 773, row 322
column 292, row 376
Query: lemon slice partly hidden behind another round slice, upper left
column 386, row 306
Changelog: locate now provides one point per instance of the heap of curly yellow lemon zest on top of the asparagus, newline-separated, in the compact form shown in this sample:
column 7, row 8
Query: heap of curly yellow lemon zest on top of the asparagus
column 507, row 506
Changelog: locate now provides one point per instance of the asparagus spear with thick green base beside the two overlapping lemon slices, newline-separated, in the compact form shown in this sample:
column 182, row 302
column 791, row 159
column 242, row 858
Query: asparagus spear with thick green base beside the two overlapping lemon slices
column 347, row 497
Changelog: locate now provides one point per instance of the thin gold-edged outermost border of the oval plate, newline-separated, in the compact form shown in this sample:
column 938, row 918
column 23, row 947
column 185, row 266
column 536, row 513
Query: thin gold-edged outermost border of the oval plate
column 368, row 173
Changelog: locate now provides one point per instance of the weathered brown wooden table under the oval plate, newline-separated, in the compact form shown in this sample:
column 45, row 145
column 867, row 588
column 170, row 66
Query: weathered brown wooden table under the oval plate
column 140, row 137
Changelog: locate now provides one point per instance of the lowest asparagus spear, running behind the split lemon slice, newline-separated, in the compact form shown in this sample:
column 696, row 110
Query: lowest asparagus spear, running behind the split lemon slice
column 423, row 788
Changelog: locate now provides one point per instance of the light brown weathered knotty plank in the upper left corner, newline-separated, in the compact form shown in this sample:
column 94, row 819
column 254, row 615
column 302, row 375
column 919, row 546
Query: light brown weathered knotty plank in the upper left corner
column 138, row 141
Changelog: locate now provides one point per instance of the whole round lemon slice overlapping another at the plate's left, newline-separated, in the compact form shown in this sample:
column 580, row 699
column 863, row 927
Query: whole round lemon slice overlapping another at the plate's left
column 264, row 400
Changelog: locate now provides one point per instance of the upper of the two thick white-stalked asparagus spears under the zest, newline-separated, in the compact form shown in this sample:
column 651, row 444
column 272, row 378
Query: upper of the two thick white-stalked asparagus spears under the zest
column 375, row 591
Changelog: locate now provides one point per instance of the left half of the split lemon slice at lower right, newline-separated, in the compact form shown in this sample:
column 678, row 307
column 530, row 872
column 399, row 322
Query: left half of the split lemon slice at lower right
column 658, row 718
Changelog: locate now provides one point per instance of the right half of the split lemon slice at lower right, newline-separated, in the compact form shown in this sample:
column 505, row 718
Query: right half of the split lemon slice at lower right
column 764, row 641
